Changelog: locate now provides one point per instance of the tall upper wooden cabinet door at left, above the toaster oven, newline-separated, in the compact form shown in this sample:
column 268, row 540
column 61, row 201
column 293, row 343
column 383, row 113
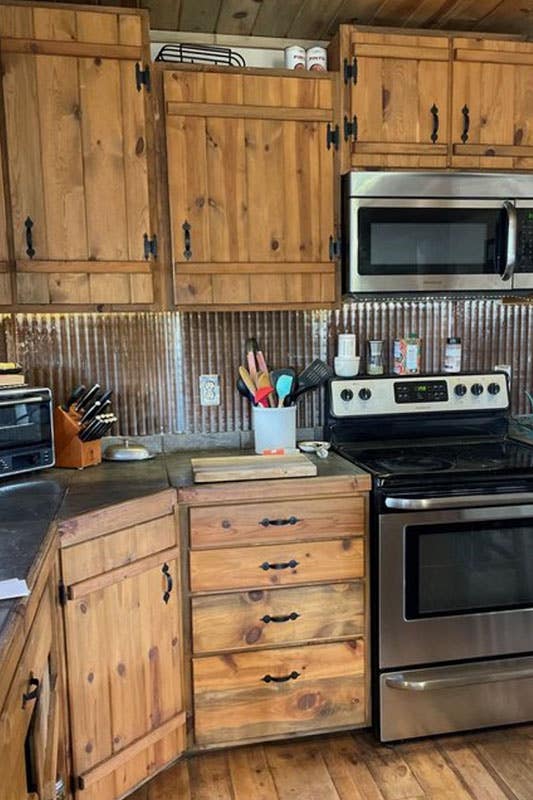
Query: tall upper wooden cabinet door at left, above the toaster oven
column 78, row 145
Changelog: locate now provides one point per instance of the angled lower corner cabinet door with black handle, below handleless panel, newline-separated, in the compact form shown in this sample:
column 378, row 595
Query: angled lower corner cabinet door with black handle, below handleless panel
column 124, row 675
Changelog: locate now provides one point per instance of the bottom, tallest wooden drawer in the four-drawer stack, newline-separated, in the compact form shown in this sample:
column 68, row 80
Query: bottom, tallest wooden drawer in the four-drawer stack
column 277, row 692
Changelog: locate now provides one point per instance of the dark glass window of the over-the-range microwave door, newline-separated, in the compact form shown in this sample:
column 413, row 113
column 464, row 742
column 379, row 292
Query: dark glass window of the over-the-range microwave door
column 416, row 240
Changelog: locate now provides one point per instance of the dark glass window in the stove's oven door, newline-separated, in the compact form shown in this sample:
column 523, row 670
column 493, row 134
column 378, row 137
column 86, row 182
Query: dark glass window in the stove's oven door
column 468, row 567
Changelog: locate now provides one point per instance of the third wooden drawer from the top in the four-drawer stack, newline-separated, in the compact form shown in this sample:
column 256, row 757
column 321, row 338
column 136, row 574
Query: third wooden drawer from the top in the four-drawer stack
column 244, row 620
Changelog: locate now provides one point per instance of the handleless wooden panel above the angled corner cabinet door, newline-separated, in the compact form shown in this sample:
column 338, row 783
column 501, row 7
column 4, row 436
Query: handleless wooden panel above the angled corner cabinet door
column 105, row 553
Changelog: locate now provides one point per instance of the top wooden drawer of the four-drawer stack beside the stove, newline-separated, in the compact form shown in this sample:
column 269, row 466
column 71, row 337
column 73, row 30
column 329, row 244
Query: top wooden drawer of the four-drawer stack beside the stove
column 279, row 521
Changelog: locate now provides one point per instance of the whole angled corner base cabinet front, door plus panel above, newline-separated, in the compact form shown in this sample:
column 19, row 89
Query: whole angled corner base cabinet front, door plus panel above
column 122, row 614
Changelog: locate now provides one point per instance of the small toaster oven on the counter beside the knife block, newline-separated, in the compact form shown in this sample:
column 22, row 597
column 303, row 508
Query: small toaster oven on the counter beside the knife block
column 26, row 430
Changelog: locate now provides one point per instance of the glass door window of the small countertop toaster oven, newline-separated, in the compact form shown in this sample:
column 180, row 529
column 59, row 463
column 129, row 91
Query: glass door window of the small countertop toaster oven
column 24, row 424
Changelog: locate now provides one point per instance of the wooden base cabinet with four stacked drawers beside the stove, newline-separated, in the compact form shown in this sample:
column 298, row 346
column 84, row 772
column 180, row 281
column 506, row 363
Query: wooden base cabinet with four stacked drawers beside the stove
column 279, row 615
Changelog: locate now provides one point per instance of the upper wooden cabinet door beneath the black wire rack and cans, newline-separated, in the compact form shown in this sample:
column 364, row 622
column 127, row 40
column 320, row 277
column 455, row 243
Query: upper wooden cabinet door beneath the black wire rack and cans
column 251, row 188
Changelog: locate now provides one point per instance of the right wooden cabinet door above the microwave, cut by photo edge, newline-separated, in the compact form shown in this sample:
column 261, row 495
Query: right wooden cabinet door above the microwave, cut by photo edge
column 492, row 104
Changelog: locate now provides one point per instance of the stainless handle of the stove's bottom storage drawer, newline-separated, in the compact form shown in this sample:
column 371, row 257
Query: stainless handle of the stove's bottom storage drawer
column 410, row 682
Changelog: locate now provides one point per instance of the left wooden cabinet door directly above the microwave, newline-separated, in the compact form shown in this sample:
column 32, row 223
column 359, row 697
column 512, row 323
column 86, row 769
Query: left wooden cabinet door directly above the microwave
column 399, row 100
